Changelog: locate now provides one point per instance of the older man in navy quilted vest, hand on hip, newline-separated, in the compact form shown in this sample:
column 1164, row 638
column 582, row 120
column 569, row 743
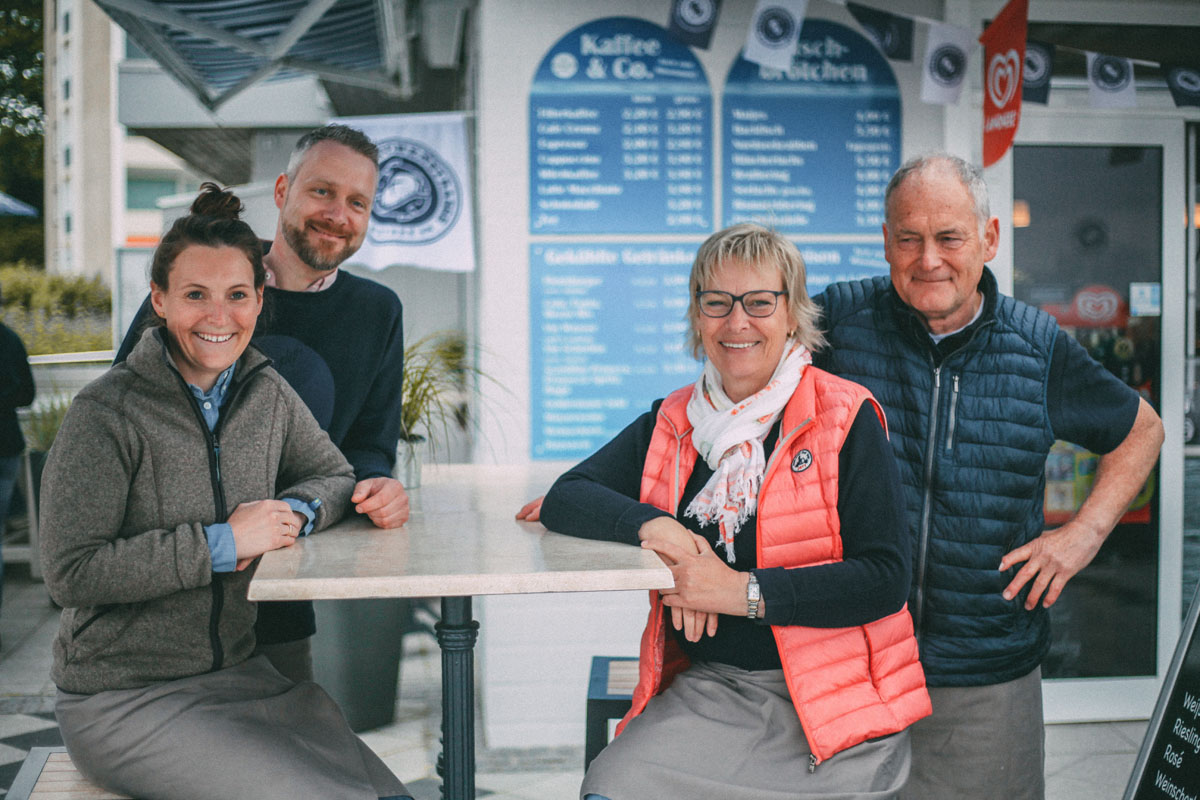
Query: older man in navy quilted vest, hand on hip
column 977, row 387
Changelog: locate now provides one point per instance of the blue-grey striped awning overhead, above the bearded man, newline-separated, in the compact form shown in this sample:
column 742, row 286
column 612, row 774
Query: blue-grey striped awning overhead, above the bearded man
column 220, row 47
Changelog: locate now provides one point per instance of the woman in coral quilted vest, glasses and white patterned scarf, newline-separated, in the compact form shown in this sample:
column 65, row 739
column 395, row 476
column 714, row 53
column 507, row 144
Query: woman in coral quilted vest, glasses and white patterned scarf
column 783, row 664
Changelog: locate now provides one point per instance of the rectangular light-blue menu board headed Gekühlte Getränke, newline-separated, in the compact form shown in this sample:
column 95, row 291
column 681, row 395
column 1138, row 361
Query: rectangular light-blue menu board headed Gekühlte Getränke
column 609, row 333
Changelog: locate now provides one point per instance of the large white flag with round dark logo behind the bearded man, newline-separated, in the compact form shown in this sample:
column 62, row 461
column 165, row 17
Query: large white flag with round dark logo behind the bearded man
column 423, row 209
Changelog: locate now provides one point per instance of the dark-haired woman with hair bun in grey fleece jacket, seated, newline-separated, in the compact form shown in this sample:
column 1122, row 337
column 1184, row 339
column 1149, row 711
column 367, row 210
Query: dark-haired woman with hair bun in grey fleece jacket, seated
column 171, row 476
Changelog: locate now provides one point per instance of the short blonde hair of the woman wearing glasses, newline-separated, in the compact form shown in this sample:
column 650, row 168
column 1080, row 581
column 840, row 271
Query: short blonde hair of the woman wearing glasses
column 761, row 249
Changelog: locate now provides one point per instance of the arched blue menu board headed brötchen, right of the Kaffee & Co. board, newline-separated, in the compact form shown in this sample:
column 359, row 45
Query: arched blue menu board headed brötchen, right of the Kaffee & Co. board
column 811, row 151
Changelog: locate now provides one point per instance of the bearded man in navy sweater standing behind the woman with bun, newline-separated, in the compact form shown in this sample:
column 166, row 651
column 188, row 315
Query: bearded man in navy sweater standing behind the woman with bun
column 335, row 338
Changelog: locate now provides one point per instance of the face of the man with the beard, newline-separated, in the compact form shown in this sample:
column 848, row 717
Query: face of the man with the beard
column 326, row 207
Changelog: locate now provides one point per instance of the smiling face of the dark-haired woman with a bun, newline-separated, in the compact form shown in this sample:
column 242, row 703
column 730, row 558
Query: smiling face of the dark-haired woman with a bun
column 211, row 309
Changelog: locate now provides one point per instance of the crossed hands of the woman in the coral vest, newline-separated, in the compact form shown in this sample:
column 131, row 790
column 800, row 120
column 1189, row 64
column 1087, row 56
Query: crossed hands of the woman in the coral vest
column 705, row 584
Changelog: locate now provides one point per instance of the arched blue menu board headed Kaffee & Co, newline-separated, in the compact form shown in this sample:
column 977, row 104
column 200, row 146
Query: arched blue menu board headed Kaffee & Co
column 621, row 135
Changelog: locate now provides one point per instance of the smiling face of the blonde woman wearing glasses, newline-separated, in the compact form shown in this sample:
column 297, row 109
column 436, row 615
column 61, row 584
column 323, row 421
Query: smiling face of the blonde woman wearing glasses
column 745, row 350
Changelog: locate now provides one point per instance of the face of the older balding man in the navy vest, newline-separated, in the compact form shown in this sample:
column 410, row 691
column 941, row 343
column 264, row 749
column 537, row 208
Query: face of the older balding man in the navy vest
column 938, row 249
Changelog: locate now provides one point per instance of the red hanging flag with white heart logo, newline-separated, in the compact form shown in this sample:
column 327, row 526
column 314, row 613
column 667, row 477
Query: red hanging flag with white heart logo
column 1004, row 68
